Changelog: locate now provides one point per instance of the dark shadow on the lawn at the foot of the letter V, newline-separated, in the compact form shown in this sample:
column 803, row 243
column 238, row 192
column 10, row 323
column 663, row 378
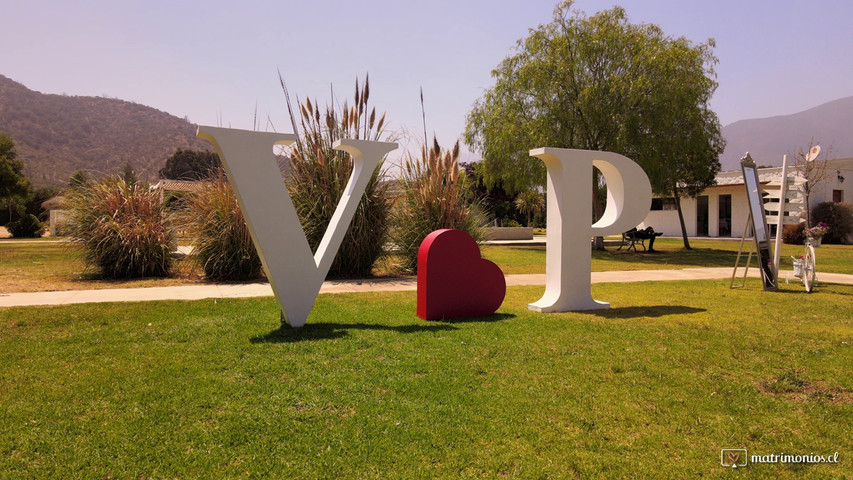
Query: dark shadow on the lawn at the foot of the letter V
column 327, row 331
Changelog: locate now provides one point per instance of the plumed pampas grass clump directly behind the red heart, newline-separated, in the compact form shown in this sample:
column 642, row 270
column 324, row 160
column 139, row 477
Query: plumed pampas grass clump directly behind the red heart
column 434, row 196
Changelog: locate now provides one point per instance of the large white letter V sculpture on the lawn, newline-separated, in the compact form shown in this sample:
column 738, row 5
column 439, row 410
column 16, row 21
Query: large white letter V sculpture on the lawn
column 295, row 274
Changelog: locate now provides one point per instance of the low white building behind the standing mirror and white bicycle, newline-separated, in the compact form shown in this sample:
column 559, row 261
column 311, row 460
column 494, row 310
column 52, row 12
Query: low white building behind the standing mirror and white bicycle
column 722, row 210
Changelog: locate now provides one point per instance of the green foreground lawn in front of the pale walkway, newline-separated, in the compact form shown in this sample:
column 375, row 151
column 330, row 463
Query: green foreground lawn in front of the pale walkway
column 652, row 388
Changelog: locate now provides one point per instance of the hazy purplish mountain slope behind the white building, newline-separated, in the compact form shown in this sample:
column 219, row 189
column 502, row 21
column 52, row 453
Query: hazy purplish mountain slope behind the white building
column 768, row 139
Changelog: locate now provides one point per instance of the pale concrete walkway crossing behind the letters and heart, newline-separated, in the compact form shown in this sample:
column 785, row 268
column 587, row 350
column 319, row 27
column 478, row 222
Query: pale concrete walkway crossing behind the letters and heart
column 198, row 292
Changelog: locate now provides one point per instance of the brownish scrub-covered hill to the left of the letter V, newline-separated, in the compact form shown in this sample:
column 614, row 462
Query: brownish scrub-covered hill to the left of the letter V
column 56, row 135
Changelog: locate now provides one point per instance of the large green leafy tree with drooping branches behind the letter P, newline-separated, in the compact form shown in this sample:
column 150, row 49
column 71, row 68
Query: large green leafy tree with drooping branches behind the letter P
column 601, row 83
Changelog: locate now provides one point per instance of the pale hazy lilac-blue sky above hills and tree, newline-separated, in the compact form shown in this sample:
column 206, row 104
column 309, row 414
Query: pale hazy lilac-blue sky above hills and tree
column 214, row 61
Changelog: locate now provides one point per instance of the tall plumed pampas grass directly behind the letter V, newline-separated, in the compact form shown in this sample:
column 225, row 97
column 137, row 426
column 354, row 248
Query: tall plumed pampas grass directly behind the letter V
column 320, row 173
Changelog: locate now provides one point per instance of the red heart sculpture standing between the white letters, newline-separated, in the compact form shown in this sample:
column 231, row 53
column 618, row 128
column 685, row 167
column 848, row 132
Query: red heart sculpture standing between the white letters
column 454, row 280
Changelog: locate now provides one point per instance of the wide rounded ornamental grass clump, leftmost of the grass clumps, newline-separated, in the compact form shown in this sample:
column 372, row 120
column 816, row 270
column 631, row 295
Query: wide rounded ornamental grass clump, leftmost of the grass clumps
column 124, row 229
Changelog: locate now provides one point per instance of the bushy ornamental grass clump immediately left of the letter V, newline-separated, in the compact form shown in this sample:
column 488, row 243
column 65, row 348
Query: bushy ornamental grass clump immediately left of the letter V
column 222, row 243
